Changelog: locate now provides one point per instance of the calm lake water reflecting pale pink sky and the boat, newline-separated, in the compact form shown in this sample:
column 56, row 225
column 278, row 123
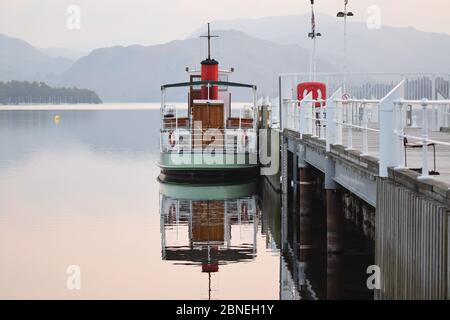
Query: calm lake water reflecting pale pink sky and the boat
column 81, row 190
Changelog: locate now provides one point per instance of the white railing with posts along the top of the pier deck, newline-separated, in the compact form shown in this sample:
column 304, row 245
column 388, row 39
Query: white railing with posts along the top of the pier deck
column 377, row 119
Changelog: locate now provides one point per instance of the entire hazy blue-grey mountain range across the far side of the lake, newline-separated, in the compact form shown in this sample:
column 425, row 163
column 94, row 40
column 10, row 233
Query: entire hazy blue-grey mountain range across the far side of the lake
column 258, row 49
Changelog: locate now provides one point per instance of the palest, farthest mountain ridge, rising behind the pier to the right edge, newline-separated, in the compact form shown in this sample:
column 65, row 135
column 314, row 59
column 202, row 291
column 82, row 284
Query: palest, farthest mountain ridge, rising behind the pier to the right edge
column 386, row 50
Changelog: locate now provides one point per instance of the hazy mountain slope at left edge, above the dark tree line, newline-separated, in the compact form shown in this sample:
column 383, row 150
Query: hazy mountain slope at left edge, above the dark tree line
column 21, row 61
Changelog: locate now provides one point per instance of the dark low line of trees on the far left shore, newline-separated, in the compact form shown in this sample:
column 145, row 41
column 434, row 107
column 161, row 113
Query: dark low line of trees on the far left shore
column 25, row 92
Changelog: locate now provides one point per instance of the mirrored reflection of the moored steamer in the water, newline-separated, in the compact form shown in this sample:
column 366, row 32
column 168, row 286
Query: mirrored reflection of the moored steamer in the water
column 208, row 225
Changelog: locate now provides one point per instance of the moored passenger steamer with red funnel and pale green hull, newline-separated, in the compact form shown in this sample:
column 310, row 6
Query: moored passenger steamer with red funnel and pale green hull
column 212, row 134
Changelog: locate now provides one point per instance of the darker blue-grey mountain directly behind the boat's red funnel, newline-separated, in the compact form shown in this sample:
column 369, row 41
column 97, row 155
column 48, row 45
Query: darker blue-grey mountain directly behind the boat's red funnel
column 136, row 73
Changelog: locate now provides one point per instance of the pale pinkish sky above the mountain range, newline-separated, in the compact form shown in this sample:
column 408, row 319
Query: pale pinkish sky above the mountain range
column 125, row 22
